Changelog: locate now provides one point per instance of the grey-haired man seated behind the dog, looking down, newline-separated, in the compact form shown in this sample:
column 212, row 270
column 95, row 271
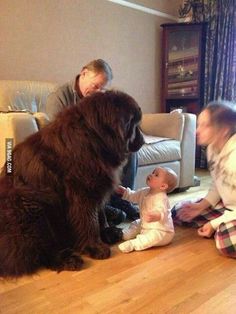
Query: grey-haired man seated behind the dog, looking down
column 96, row 76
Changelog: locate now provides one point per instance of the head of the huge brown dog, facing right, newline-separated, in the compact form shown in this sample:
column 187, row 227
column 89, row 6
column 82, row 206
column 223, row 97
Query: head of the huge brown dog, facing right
column 115, row 117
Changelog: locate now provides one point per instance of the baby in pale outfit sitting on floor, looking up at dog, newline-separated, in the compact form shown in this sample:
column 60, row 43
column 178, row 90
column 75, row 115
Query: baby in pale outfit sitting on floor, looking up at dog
column 155, row 226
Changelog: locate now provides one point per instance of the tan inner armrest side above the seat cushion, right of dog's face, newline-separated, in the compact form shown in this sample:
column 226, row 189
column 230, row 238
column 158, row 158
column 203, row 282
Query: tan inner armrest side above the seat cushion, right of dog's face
column 170, row 125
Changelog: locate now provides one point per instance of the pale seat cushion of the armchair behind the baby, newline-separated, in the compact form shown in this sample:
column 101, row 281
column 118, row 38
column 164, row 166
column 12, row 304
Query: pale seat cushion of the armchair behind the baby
column 160, row 152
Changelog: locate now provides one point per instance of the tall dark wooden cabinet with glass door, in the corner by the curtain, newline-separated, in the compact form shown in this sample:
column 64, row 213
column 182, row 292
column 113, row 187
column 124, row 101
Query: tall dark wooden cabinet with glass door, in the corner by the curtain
column 183, row 48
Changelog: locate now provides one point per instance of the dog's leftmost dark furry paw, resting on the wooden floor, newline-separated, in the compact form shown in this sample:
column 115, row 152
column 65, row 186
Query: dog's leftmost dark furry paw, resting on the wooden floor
column 67, row 260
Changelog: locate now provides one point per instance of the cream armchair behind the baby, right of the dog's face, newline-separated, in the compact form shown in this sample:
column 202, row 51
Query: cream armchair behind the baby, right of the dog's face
column 171, row 142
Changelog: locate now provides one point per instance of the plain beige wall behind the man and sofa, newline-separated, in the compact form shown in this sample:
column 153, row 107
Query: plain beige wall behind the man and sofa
column 52, row 39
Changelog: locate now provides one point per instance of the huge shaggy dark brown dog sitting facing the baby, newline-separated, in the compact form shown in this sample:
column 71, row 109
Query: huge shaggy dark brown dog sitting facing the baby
column 61, row 177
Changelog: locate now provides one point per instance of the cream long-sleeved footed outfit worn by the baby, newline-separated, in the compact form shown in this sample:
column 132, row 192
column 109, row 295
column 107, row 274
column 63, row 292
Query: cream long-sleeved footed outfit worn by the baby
column 141, row 235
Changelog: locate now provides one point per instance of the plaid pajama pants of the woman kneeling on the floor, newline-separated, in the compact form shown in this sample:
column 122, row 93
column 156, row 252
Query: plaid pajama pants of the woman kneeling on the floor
column 225, row 235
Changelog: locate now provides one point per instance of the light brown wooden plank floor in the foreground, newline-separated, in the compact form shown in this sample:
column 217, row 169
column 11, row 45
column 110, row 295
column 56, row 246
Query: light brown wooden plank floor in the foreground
column 188, row 276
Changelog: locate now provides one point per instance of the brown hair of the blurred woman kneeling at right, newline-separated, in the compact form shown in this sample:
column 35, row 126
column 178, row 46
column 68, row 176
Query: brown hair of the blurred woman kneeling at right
column 222, row 114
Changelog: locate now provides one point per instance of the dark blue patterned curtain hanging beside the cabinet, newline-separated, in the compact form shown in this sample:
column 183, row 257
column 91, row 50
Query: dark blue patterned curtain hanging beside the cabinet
column 220, row 57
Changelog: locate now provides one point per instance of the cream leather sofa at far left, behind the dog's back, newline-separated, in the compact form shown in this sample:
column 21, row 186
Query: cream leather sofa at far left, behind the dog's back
column 21, row 110
